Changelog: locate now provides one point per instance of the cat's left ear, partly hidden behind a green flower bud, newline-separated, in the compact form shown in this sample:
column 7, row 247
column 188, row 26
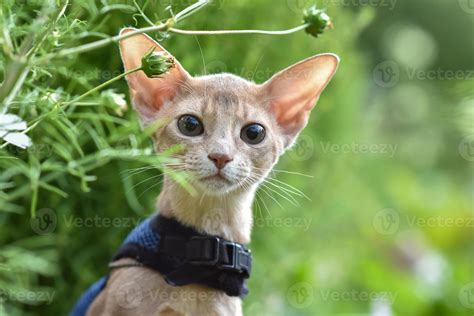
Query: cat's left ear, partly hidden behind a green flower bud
column 149, row 94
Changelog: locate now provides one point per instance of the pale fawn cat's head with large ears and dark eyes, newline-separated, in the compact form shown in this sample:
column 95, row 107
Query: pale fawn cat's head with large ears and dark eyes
column 233, row 130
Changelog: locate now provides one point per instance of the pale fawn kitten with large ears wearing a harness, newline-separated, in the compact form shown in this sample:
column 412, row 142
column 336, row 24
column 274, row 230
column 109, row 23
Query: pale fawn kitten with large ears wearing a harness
column 233, row 132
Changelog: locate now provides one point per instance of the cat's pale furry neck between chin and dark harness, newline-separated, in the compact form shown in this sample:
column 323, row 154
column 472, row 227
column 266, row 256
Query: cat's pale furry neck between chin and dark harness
column 228, row 216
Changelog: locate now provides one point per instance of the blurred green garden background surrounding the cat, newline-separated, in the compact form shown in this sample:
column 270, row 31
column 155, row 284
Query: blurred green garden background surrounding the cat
column 386, row 161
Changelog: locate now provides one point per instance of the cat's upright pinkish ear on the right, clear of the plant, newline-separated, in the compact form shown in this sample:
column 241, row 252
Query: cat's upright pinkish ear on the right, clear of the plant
column 293, row 92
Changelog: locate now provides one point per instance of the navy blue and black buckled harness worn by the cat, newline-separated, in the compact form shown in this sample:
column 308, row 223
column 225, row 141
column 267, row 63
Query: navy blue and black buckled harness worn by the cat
column 183, row 256
